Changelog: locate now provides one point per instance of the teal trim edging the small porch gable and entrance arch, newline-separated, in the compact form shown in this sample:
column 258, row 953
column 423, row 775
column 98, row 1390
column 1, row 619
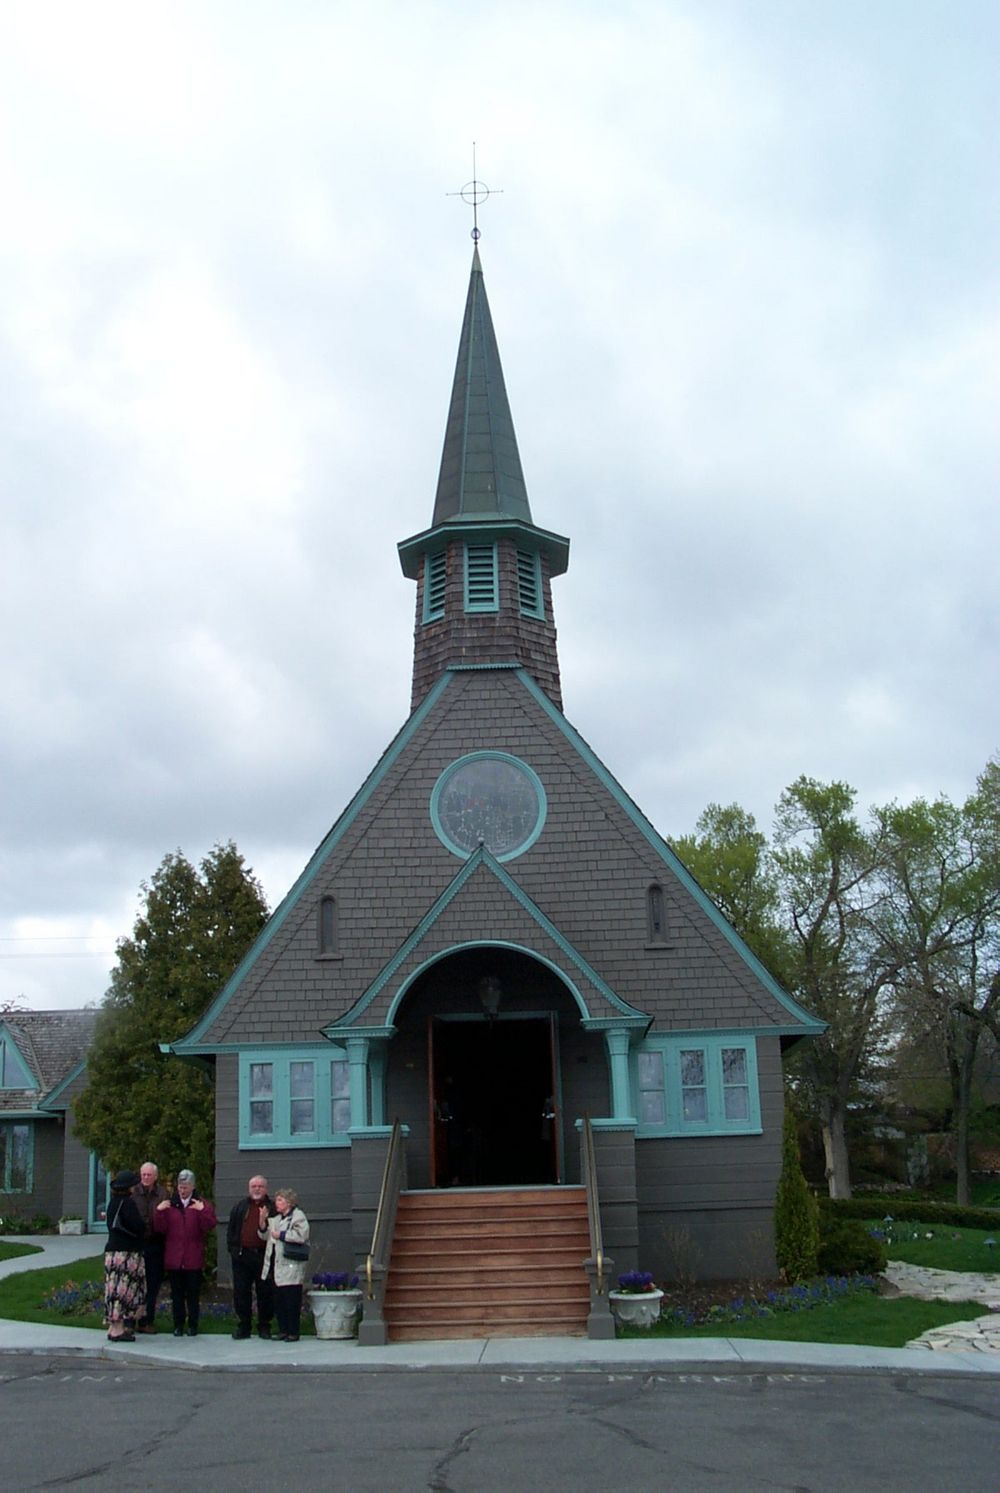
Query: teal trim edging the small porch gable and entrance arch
column 483, row 858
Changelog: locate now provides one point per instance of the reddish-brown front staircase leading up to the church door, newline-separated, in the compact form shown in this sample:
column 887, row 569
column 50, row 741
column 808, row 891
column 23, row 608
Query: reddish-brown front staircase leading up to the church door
column 489, row 1264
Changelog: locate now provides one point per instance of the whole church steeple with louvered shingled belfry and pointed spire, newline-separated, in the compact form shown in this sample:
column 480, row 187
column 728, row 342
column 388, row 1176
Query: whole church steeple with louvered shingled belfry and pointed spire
column 483, row 570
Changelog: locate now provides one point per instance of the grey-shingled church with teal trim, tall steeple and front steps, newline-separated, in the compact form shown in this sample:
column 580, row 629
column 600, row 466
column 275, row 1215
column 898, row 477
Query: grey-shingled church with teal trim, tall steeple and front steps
column 498, row 950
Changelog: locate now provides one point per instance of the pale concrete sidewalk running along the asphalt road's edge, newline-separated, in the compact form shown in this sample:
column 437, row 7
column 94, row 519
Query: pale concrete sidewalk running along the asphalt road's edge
column 508, row 1355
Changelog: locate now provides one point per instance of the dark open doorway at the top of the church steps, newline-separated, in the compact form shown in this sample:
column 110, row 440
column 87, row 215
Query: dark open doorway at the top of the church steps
column 495, row 1113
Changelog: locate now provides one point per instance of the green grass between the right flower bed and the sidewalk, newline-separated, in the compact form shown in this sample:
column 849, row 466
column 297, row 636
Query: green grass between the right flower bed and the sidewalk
column 865, row 1321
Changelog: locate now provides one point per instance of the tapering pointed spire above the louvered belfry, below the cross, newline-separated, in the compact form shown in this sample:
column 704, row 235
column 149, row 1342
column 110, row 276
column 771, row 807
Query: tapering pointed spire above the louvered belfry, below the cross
column 480, row 470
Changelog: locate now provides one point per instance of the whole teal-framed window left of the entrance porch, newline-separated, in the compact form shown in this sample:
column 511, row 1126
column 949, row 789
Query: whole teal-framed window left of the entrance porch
column 293, row 1098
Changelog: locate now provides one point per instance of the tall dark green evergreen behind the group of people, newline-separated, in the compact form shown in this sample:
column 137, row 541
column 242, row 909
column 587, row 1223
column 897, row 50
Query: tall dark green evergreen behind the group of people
column 192, row 932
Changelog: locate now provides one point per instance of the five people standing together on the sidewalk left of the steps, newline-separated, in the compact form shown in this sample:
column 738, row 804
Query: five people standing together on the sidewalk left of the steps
column 153, row 1232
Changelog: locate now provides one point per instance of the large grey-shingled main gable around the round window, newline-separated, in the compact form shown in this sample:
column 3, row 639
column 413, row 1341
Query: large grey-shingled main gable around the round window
column 595, row 832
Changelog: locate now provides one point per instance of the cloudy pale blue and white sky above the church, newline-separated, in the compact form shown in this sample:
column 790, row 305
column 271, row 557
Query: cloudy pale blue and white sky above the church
column 744, row 268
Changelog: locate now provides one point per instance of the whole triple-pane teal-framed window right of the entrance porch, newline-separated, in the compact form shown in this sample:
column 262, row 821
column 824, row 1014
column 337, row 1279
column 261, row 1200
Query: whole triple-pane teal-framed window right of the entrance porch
column 716, row 1074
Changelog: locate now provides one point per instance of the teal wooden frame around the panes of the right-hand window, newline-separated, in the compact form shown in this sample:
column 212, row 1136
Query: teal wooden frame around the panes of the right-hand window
column 716, row 1123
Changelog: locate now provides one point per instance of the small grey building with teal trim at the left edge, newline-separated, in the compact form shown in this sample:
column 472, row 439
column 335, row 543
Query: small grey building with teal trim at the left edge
column 44, row 1168
